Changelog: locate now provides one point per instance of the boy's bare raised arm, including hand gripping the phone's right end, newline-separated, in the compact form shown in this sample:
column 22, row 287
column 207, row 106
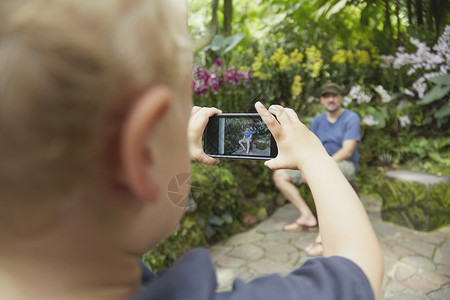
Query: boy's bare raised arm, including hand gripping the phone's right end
column 344, row 224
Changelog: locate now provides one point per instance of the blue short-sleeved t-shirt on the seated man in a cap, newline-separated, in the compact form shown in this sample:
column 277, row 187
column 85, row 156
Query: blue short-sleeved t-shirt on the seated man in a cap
column 332, row 135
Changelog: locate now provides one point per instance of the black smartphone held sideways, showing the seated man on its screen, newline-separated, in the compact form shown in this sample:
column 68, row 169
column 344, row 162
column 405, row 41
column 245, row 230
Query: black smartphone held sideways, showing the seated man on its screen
column 240, row 136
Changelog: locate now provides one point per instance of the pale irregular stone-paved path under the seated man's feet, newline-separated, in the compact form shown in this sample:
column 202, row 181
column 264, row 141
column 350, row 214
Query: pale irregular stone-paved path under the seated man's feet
column 417, row 264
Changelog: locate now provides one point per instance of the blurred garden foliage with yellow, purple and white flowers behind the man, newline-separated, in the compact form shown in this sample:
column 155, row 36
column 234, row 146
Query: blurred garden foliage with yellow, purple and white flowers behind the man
column 391, row 56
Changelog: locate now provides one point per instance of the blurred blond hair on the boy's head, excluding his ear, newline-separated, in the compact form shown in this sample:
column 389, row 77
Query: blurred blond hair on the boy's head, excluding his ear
column 69, row 70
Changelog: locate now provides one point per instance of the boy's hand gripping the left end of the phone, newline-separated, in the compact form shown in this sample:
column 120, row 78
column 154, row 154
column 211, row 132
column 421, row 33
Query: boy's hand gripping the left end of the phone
column 197, row 124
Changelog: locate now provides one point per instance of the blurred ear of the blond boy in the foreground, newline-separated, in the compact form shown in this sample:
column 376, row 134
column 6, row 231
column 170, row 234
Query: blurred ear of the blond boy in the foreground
column 136, row 156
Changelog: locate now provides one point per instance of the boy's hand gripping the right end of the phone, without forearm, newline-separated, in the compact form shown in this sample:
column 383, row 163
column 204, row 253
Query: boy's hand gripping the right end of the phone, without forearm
column 296, row 144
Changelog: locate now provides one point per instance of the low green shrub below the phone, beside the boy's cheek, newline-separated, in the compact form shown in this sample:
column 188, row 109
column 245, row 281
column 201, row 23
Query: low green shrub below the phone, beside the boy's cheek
column 218, row 212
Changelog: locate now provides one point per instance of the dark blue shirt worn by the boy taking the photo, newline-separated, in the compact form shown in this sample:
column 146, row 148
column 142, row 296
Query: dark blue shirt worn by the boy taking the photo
column 193, row 277
